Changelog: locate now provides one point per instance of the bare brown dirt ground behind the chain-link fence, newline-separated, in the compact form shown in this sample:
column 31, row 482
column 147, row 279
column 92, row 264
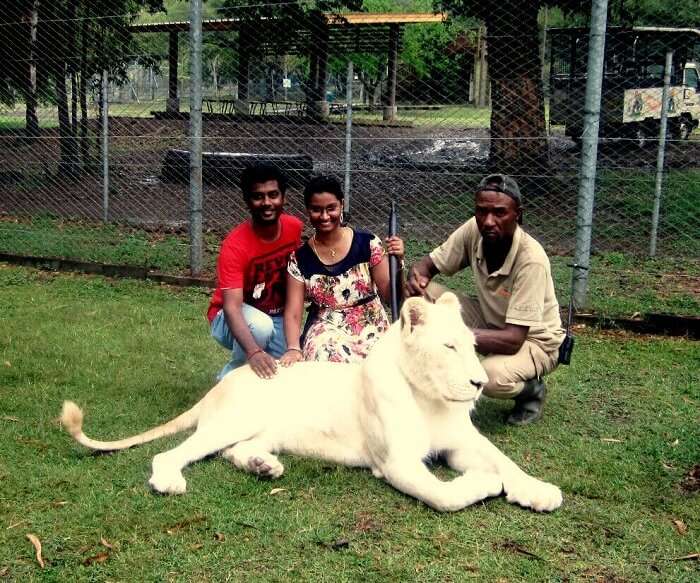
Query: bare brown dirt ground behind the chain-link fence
column 430, row 171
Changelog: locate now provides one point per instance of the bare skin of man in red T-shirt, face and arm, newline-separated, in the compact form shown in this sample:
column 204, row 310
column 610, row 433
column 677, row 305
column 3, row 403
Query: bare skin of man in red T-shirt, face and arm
column 265, row 204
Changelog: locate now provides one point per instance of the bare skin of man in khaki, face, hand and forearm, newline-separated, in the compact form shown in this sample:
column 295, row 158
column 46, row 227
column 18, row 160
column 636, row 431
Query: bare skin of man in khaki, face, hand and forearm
column 497, row 216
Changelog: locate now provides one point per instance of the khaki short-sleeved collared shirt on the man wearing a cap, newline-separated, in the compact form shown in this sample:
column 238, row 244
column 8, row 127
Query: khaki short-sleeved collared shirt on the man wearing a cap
column 520, row 292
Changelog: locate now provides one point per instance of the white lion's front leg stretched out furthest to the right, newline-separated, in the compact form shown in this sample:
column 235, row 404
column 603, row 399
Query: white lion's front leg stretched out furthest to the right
column 478, row 454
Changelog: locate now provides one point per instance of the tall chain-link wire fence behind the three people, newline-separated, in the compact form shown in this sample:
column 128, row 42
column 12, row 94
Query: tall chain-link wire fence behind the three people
column 410, row 105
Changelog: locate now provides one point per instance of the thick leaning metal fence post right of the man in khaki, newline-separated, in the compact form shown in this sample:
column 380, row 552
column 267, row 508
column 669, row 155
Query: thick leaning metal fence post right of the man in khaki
column 589, row 150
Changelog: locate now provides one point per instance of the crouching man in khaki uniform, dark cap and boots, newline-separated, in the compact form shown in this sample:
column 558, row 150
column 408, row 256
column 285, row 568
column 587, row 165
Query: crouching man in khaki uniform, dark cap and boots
column 515, row 317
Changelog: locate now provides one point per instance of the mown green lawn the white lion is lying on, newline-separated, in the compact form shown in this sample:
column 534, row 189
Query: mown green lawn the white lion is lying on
column 620, row 436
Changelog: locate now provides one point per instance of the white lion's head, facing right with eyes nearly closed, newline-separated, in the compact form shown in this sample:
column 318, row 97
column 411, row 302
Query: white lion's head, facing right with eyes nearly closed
column 438, row 353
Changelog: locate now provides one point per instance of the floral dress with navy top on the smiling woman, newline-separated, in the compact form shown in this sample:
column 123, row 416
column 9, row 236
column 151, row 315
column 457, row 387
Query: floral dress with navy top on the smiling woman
column 346, row 316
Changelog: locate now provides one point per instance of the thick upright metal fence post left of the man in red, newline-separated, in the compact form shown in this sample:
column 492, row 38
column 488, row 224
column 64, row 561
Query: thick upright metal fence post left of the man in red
column 196, row 137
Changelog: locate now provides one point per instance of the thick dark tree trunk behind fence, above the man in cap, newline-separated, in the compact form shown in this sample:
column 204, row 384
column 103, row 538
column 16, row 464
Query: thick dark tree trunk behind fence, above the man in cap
column 518, row 137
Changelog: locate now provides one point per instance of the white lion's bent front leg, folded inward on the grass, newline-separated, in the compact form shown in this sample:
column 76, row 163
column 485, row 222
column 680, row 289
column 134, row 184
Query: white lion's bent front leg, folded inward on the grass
column 414, row 479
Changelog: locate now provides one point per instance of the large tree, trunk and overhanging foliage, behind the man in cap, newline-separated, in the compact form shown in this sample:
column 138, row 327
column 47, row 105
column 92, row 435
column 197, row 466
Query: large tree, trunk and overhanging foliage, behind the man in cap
column 518, row 143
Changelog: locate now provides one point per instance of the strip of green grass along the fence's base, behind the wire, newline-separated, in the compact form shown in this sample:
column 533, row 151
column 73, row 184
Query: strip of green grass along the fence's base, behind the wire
column 619, row 284
